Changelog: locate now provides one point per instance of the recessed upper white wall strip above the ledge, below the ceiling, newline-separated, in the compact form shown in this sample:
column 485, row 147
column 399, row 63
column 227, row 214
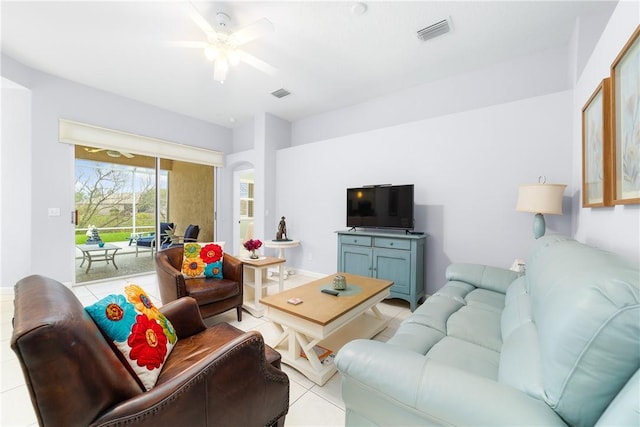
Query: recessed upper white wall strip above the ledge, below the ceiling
column 519, row 78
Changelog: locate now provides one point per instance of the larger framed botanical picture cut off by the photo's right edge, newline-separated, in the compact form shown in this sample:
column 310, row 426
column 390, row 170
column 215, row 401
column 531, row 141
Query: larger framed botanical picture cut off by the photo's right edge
column 625, row 93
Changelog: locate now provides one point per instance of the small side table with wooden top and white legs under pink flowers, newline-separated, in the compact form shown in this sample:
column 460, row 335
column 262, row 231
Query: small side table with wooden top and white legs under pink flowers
column 255, row 270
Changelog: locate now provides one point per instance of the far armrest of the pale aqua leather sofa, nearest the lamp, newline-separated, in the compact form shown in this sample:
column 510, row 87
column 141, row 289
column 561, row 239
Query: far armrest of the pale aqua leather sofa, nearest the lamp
column 482, row 276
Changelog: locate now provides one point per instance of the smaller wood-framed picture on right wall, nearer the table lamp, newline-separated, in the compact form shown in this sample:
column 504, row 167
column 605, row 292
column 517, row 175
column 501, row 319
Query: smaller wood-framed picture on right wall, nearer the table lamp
column 596, row 147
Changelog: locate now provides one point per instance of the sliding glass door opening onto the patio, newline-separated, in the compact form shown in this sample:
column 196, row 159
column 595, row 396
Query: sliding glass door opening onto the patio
column 123, row 200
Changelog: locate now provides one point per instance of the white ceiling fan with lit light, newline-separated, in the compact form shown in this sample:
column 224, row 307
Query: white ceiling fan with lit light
column 222, row 46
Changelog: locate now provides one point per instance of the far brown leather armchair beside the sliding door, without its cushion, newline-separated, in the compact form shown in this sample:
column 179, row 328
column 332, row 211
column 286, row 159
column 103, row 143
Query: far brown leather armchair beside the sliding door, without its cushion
column 214, row 296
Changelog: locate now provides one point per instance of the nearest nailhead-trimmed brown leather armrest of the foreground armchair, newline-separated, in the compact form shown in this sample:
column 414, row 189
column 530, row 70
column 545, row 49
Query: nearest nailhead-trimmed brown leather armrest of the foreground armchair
column 232, row 386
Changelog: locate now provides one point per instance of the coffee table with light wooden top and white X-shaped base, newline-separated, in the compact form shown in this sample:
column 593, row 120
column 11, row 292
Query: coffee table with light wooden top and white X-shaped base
column 325, row 320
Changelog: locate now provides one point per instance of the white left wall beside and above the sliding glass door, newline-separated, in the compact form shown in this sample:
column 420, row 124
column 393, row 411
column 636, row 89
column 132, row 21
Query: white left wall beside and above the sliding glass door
column 52, row 163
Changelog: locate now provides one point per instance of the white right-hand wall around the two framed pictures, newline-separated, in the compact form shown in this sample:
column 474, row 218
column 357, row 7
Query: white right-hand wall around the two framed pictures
column 612, row 228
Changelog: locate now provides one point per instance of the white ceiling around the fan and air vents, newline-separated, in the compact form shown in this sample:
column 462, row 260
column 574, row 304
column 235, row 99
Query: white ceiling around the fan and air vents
column 326, row 56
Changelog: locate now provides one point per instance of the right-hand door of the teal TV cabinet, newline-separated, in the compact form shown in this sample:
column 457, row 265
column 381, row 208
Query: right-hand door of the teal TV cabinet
column 395, row 265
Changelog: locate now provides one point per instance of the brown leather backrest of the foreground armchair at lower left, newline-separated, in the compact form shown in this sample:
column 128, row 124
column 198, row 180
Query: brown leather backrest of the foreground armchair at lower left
column 71, row 372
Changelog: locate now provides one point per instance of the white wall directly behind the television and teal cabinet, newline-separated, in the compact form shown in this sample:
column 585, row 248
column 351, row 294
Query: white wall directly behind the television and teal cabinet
column 466, row 168
